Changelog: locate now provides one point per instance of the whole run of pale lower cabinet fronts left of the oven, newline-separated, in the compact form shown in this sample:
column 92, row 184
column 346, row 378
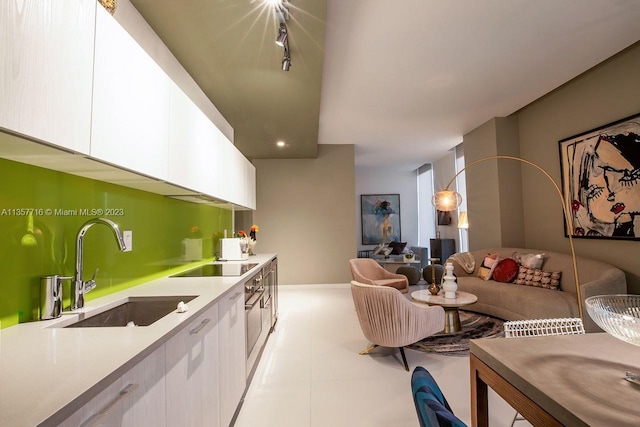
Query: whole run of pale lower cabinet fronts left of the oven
column 197, row 378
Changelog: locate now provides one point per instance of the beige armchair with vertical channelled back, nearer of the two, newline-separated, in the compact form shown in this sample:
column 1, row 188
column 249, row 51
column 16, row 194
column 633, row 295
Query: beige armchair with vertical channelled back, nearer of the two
column 389, row 319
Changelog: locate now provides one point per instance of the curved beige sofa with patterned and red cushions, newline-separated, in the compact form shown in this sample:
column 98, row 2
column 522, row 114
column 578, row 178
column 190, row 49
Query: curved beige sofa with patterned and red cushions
column 509, row 301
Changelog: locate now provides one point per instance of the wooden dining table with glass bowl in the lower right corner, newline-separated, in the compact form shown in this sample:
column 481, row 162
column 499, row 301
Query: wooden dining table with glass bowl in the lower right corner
column 571, row 380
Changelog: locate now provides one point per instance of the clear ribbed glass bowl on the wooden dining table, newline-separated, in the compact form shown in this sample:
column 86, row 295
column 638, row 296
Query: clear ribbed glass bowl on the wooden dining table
column 618, row 315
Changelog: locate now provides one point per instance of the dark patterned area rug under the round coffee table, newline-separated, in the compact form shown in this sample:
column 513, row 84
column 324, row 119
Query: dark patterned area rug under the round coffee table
column 473, row 326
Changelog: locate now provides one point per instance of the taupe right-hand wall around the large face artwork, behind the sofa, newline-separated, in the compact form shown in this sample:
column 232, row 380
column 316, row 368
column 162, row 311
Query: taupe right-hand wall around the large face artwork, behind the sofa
column 609, row 92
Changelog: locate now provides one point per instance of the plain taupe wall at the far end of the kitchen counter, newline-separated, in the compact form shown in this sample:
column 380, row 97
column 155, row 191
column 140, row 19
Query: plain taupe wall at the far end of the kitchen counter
column 306, row 211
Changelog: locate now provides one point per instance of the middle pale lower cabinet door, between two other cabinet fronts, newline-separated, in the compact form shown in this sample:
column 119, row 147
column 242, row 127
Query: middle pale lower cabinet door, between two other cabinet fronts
column 192, row 394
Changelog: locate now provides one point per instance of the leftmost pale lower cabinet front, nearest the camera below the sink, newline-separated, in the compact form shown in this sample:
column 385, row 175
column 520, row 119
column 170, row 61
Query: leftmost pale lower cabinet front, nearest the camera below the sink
column 135, row 399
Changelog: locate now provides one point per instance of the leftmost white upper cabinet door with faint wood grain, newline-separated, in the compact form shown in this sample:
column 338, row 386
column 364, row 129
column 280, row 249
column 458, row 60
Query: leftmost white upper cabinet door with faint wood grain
column 46, row 68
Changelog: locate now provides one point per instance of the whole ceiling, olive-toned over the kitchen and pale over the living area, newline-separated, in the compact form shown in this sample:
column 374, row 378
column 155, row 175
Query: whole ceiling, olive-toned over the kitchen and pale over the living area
column 402, row 80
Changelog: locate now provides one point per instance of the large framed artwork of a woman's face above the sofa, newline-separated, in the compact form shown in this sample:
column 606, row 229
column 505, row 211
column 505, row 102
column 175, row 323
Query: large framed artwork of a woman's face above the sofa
column 601, row 180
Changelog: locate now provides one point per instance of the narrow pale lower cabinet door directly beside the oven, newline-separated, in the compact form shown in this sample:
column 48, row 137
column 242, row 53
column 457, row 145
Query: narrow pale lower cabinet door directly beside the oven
column 233, row 353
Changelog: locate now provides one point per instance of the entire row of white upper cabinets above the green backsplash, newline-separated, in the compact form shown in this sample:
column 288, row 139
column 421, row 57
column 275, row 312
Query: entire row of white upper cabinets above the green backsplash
column 71, row 76
